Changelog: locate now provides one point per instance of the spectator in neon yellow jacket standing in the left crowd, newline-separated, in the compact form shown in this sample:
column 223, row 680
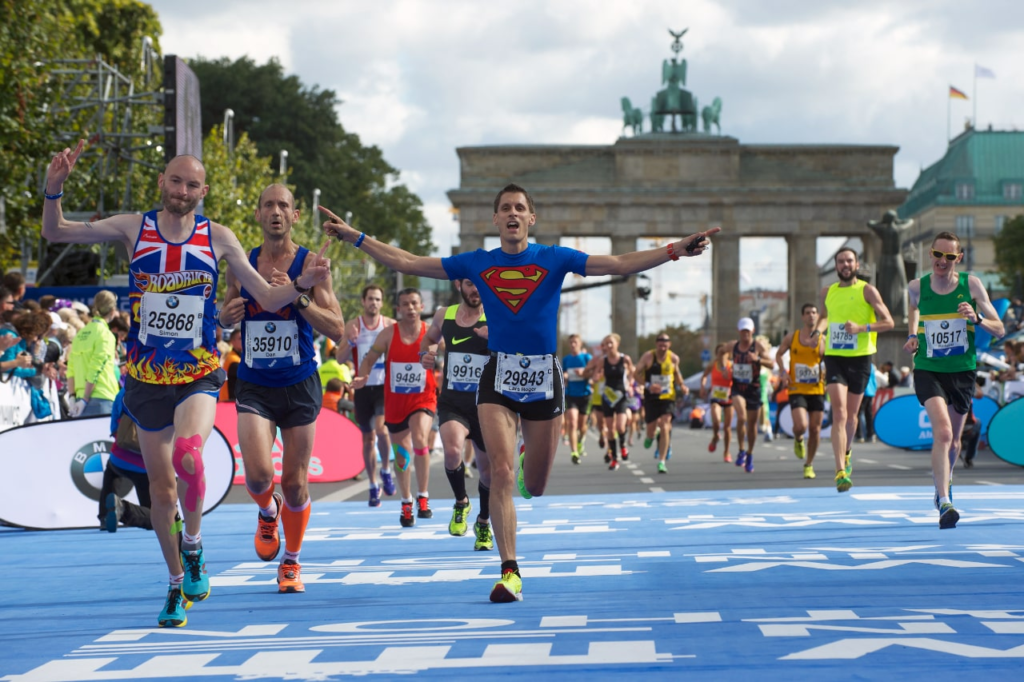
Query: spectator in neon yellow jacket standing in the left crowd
column 94, row 376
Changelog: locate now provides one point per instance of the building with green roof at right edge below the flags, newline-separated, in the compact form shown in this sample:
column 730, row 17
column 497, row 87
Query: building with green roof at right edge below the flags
column 976, row 187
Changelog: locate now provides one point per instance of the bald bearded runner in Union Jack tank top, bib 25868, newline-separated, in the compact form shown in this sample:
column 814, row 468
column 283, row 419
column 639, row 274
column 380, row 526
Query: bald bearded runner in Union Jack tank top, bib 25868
column 175, row 371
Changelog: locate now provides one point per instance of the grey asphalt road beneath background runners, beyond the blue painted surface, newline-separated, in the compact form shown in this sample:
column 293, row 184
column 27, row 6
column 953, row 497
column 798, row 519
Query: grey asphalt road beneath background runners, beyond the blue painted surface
column 694, row 468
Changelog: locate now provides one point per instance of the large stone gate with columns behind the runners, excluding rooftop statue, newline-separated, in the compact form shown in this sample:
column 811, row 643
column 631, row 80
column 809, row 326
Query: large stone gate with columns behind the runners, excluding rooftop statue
column 670, row 186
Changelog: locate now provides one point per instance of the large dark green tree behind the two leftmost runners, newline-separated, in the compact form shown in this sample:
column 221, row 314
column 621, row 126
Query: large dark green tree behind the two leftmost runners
column 278, row 112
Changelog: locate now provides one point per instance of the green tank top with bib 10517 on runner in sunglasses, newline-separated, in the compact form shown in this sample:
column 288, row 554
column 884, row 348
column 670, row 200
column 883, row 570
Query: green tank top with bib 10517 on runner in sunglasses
column 946, row 339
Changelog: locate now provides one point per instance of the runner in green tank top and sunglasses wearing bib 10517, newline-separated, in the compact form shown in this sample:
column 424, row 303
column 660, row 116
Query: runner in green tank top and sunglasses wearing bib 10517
column 950, row 307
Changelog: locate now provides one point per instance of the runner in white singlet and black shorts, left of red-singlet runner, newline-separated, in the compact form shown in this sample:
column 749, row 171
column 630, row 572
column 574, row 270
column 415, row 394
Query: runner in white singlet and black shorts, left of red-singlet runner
column 362, row 334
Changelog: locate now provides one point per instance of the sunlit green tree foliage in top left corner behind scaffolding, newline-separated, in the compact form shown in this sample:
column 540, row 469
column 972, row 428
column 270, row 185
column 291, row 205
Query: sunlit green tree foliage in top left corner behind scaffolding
column 34, row 100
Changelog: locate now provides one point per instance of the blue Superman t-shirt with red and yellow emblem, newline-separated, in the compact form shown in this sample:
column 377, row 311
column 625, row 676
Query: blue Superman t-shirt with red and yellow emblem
column 520, row 292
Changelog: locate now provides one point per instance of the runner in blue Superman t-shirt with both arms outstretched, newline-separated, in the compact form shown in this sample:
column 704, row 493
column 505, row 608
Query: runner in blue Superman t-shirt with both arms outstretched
column 521, row 285
